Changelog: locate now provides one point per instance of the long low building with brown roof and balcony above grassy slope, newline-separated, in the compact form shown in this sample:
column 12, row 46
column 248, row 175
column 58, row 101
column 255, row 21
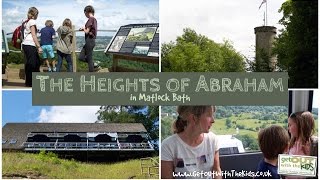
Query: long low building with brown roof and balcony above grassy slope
column 78, row 140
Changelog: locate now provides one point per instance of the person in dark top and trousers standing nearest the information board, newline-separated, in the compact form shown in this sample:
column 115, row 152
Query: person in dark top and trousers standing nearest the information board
column 90, row 30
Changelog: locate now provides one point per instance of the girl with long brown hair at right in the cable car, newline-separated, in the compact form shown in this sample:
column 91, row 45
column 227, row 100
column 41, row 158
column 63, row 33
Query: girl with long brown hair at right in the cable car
column 301, row 127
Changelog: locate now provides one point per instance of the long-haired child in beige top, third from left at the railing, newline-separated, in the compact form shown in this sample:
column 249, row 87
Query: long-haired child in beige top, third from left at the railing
column 64, row 44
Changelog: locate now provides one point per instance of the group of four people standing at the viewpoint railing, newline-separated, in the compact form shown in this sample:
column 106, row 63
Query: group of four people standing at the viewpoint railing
column 32, row 47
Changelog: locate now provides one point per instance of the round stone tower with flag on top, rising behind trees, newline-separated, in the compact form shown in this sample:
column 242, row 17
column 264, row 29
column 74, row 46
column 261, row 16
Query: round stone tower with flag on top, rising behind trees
column 265, row 36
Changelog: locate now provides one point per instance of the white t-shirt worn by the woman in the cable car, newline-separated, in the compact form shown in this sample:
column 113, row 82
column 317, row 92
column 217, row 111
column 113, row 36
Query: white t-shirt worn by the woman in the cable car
column 190, row 162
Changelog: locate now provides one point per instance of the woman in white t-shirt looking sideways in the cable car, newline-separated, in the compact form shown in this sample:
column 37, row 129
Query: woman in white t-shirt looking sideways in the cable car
column 192, row 148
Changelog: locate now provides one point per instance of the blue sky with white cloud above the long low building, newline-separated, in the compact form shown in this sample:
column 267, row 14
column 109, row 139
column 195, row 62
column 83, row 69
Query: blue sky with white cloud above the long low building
column 17, row 107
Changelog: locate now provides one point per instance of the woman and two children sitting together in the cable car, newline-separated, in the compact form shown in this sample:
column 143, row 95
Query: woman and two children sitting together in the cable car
column 192, row 151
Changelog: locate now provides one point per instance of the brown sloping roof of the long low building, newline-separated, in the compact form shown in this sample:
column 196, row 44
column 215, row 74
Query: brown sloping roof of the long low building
column 19, row 131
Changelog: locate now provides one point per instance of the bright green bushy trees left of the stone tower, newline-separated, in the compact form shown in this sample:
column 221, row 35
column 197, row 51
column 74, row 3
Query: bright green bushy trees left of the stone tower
column 194, row 52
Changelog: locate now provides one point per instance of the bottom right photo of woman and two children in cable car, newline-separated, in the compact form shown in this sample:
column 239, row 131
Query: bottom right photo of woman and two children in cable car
column 236, row 142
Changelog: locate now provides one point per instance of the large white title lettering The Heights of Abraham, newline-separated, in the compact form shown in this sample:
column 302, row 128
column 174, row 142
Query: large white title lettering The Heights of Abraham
column 202, row 83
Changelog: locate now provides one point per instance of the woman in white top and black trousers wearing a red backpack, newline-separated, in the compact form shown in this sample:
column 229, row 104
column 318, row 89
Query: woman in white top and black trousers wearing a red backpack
column 31, row 46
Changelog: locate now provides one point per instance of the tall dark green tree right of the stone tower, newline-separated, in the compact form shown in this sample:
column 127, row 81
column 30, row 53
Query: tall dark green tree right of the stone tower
column 297, row 45
